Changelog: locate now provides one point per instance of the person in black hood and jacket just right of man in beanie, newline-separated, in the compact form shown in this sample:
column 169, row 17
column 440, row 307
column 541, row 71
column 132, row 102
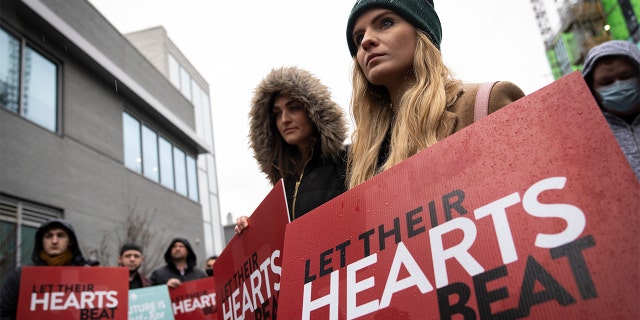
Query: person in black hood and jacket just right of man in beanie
column 180, row 267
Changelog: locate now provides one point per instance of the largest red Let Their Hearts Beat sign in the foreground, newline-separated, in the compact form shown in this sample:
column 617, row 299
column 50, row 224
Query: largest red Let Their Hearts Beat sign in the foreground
column 531, row 212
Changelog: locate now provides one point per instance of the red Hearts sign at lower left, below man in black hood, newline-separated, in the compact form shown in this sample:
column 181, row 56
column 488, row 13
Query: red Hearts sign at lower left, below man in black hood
column 73, row 293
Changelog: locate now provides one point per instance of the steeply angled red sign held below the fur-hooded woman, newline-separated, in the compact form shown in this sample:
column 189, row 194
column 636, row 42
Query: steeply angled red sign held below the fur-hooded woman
column 248, row 270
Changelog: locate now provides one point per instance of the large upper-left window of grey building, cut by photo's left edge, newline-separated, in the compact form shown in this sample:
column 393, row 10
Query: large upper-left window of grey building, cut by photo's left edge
column 23, row 68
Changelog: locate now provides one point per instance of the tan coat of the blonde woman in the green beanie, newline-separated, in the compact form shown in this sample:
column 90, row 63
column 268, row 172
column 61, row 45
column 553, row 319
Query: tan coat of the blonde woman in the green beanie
column 461, row 114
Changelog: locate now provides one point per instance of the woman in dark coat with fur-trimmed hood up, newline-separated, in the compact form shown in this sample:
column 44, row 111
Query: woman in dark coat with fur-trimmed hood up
column 297, row 134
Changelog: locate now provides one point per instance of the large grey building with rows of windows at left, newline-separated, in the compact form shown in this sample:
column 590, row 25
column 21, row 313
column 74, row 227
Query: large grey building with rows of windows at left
column 96, row 132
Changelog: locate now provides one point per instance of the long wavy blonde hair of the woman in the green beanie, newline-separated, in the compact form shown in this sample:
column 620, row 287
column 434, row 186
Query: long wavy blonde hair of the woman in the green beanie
column 413, row 126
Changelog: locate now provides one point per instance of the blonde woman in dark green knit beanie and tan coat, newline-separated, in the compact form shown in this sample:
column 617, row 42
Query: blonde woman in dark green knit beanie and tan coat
column 404, row 98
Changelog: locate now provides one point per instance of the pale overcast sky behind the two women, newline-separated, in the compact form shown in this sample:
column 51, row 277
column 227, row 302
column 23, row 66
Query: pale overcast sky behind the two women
column 234, row 44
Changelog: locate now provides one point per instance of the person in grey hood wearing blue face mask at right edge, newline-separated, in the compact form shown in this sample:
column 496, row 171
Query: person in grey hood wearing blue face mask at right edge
column 612, row 72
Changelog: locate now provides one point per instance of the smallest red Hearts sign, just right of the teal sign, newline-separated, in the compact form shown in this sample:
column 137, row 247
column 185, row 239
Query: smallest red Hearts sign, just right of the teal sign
column 194, row 300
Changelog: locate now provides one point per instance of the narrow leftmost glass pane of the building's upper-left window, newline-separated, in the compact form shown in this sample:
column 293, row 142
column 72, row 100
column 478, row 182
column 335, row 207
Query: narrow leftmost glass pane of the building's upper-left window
column 9, row 71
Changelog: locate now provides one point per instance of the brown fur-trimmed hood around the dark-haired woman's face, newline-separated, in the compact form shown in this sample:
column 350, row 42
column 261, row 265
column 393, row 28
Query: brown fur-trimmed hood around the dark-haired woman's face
column 304, row 87
